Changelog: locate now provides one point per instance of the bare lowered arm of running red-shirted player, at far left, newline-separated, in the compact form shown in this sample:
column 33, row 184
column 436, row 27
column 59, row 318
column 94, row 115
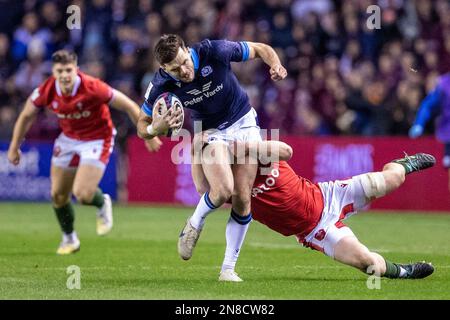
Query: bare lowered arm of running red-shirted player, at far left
column 23, row 124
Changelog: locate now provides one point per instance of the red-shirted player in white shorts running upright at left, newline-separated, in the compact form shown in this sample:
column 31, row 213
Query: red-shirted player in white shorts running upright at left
column 82, row 150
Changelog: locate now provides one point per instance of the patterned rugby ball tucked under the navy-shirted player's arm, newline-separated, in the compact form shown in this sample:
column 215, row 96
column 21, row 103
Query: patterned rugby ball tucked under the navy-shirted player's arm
column 169, row 101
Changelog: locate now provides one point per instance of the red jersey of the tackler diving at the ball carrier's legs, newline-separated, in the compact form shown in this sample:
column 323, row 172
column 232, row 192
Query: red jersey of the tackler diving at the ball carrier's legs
column 285, row 202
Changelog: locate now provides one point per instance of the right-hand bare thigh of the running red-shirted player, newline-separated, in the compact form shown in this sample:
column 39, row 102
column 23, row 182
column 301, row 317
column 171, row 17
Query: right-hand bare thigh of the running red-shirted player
column 86, row 181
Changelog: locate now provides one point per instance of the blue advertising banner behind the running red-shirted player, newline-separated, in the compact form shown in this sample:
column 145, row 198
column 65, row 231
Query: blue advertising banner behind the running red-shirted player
column 30, row 180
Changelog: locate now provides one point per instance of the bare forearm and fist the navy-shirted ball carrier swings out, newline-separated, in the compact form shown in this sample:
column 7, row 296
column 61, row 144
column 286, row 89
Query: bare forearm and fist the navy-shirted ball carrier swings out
column 270, row 57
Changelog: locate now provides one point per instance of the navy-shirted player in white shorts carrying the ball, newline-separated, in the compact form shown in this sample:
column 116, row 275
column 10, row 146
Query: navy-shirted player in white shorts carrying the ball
column 202, row 79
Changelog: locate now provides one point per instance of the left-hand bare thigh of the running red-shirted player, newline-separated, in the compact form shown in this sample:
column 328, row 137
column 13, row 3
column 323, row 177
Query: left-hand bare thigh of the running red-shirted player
column 61, row 183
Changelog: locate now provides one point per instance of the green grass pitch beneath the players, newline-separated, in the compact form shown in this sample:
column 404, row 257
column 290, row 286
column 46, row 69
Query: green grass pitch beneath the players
column 139, row 260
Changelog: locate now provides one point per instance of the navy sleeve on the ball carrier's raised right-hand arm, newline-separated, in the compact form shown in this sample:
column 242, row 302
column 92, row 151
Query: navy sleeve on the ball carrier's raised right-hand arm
column 227, row 51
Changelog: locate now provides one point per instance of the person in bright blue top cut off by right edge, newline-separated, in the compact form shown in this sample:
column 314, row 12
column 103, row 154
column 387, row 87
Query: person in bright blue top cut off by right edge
column 437, row 101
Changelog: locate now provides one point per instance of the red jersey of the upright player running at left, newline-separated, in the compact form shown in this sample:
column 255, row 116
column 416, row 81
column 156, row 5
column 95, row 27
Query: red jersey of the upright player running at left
column 83, row 115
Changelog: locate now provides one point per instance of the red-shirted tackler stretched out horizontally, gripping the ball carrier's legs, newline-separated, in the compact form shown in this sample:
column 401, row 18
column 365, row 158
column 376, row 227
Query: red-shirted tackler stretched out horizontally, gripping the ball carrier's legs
column 292, row 205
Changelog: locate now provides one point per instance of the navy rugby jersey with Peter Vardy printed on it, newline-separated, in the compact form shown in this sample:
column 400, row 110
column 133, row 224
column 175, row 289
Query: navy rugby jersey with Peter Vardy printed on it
column 215, row 95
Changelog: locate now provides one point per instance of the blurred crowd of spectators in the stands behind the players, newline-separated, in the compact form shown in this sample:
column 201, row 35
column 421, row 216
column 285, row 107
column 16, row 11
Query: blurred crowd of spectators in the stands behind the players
column 344, row 78
